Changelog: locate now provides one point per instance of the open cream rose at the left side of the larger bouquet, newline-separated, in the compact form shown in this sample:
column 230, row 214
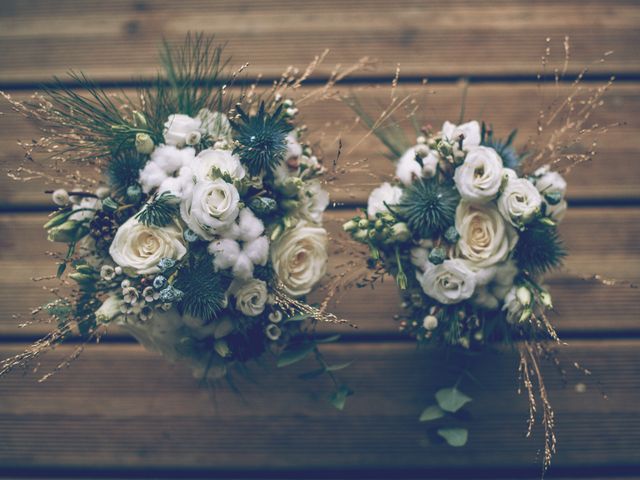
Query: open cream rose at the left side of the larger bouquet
column 138, row 248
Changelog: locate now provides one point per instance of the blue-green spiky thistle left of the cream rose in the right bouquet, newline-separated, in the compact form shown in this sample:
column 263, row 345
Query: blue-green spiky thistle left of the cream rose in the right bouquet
column 428, row 207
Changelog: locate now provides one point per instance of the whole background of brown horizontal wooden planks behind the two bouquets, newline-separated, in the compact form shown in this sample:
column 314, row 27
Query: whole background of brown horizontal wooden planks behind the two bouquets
column 120, row 411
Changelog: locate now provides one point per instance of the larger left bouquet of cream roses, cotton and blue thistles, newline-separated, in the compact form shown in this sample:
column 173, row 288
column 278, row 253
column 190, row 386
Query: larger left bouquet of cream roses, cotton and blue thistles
column 207, row 235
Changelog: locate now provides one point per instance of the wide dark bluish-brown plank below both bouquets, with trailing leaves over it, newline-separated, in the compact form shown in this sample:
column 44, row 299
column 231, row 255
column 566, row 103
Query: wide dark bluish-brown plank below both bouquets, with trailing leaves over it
column 121, row 407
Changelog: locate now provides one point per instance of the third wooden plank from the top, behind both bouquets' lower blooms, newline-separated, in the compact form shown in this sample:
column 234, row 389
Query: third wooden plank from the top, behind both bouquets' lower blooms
column 600, row 241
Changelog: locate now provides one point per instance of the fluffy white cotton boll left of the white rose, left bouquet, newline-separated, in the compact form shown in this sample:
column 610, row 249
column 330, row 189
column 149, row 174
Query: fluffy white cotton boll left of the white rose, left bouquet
column 169, row 170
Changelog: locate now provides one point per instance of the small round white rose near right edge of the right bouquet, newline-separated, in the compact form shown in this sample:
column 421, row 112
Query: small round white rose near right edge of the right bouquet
column 519, row 202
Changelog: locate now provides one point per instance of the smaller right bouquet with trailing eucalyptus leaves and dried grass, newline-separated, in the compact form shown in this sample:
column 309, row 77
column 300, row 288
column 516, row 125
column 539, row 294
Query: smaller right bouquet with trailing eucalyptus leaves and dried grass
column 468, row 227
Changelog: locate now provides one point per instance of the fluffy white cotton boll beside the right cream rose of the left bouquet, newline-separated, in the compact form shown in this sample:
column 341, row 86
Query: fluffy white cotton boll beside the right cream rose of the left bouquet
column 242, row 247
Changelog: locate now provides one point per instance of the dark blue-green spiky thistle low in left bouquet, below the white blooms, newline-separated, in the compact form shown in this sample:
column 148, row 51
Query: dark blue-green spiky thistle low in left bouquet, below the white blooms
column 204, row 289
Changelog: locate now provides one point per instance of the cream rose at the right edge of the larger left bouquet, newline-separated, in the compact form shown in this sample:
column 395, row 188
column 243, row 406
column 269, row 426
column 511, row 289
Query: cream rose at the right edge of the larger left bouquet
column 299, row 258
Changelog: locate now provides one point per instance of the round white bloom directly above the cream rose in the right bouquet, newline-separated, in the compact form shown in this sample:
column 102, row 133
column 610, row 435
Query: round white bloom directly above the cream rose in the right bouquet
column 479, row 177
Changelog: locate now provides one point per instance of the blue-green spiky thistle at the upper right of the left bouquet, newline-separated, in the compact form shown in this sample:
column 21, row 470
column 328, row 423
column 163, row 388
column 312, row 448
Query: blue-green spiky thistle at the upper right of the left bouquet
column 262, row 139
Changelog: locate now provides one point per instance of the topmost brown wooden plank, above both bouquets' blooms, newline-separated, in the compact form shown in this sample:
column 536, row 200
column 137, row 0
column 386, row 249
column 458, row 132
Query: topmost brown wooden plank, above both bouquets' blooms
column 119, row 39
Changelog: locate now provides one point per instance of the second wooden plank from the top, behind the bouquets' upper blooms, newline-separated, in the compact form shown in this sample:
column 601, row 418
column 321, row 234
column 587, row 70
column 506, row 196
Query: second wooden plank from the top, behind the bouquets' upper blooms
column 615, row 173
